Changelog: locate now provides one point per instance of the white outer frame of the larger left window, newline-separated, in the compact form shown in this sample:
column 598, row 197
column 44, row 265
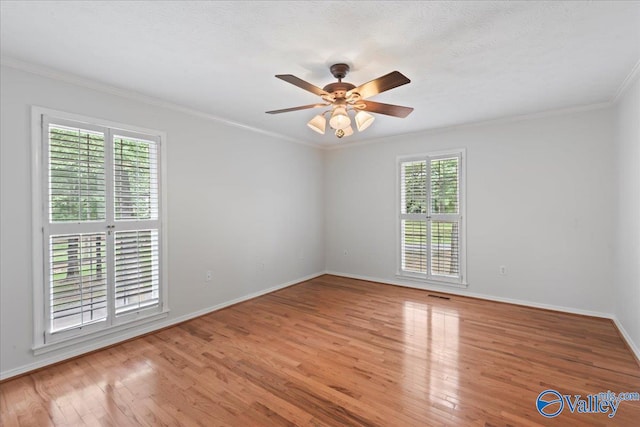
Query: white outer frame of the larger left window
column 43, row 340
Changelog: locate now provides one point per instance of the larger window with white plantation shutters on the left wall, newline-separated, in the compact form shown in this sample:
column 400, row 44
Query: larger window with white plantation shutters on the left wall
column 101, row 228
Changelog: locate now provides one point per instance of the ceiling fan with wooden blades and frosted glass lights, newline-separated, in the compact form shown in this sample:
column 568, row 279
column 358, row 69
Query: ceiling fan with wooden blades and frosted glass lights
column 341, row 98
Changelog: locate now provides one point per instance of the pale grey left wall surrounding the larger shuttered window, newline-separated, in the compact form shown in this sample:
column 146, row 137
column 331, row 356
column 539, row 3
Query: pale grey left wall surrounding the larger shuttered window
column 236, row 200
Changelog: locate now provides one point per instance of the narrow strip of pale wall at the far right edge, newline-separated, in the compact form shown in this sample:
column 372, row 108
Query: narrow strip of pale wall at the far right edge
column 627, row 245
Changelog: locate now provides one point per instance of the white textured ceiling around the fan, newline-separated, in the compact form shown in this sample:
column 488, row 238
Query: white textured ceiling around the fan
column 467, row 61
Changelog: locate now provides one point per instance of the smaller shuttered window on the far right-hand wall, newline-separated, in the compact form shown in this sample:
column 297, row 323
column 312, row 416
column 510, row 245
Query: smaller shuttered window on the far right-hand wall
column 431, row 209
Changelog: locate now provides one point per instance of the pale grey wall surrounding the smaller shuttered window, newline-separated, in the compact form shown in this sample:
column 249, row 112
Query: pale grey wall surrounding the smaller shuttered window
column 539, row 201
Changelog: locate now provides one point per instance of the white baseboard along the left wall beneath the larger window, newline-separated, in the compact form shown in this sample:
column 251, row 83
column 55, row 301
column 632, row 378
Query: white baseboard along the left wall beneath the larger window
column 129, row 334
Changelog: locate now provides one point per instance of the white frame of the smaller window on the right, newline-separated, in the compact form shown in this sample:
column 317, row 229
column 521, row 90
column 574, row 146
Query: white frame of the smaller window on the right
column 427, row 277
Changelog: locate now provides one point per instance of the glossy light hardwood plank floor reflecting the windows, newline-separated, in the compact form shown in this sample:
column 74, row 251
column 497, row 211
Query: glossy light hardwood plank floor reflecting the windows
column 336, row 351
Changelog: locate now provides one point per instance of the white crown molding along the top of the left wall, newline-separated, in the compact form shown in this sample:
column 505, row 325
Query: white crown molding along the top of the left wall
column 135, row 96
